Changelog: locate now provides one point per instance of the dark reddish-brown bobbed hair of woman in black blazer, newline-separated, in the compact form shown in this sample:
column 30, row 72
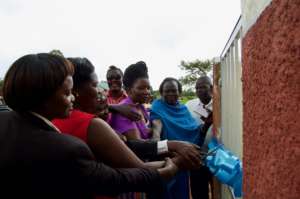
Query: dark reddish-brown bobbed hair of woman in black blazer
column 32, row 79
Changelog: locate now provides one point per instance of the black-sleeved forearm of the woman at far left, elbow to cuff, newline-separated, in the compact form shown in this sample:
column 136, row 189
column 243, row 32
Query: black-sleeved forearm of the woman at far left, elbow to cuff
column 104, row 180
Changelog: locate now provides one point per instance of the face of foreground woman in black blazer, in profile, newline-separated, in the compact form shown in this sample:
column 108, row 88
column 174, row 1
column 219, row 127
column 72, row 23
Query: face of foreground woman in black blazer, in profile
column 59, row 105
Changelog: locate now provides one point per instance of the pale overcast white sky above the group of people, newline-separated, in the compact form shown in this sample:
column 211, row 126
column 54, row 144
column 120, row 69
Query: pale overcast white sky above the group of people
column 118, row 32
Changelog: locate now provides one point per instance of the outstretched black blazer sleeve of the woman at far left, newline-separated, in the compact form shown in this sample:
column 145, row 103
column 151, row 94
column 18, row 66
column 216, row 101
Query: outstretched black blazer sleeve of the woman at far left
column 100, row 179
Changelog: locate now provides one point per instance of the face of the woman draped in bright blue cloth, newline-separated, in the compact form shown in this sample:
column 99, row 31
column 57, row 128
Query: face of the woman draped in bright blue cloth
column 170, row 92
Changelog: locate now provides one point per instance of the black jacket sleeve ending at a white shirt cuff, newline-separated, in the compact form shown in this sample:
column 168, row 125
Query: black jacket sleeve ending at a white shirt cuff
column 143, row 149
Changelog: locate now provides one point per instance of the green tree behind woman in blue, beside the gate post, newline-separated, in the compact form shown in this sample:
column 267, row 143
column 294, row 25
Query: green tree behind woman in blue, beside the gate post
column 194, row 70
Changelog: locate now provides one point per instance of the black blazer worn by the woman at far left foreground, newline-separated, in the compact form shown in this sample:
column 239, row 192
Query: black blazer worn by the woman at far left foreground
column 37, row 162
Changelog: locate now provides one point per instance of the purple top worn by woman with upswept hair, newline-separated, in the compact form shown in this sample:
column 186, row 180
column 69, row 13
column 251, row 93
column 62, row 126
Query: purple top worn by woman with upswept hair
column 122, row 124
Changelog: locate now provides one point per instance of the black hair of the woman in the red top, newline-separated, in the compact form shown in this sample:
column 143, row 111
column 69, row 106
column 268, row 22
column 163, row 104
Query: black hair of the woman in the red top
column 83, row 69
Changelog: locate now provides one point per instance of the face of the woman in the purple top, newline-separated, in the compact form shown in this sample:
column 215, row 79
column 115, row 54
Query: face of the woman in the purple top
column 140, row 91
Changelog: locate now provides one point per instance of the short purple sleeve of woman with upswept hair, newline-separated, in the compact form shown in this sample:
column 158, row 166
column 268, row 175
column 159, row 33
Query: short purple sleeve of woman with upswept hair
column 122, row 124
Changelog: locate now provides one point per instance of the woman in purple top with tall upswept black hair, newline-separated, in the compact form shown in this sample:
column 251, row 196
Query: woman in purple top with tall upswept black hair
column 137, row 86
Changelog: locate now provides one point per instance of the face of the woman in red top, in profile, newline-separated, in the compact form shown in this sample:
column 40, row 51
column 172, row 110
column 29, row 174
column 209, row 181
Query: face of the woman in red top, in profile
column 87, row 95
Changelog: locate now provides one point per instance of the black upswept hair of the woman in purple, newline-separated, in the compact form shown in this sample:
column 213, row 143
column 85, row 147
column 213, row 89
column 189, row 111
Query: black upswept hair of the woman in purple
column 134, row 72
